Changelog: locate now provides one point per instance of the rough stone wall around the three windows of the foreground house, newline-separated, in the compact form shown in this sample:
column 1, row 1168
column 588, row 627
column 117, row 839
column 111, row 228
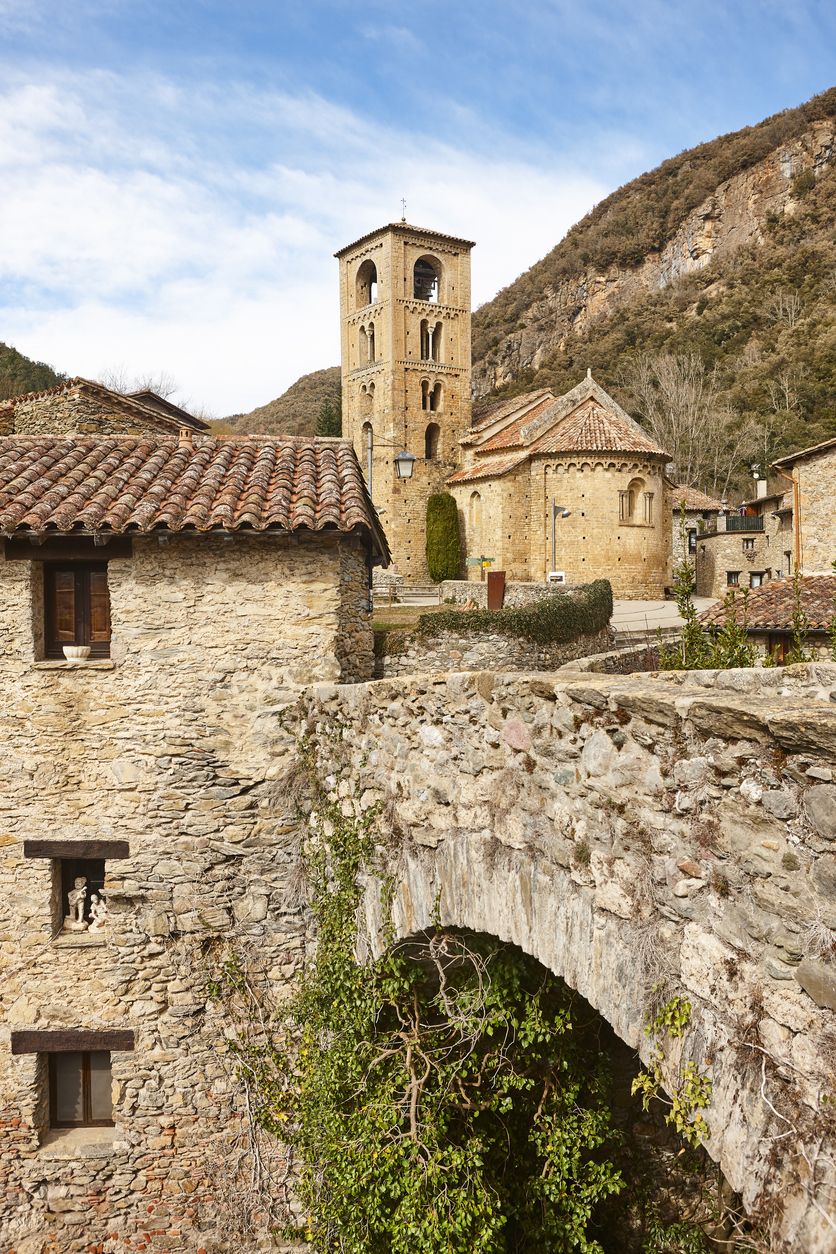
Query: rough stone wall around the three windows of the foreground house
column 174, row 747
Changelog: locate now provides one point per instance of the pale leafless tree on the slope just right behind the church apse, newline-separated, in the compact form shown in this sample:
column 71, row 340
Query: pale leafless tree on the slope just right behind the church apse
column 685, row 411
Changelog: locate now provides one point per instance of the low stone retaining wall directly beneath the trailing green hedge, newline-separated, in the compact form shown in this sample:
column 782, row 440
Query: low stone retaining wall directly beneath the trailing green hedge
column 408, row 653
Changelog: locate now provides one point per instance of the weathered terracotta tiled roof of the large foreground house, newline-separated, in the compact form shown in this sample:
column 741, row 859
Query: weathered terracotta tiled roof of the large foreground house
column 147, row 483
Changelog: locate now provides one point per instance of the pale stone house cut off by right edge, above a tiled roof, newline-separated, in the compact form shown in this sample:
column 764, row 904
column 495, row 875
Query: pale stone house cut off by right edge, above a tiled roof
column 812, row 496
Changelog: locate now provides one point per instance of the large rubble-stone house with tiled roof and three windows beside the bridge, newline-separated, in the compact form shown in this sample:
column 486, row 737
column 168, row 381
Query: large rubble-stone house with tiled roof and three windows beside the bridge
column 204, row 582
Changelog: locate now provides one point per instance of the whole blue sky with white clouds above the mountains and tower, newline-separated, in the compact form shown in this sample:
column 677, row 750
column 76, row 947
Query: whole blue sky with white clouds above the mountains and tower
column 177, row 175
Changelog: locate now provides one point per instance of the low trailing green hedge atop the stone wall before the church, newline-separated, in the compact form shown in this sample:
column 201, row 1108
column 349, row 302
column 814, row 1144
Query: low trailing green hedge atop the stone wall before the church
column 556, row 620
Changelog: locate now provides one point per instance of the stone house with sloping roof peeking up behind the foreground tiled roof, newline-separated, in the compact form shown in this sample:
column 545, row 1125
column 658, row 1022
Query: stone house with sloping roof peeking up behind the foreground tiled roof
column 81, row 407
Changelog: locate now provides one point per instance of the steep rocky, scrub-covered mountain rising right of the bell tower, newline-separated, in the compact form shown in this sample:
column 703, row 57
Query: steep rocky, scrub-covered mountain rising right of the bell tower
column 726, row 253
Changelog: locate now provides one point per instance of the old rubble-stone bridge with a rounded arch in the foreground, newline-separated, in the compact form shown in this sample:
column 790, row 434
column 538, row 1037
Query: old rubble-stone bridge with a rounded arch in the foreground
column 675, row 832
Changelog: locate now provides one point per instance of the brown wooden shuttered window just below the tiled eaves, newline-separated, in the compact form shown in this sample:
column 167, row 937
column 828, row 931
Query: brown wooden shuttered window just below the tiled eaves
column 78, row 608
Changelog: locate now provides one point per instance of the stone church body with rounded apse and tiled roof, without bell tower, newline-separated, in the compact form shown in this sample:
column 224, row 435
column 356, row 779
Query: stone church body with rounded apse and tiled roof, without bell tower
column 567, row 488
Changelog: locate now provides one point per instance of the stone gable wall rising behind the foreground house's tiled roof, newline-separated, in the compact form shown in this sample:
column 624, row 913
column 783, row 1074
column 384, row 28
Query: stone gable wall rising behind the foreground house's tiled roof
column 75, row 412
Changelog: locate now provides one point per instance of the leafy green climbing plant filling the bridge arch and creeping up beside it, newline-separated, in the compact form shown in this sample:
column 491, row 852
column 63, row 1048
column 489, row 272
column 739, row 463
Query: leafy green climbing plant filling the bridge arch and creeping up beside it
column 446, row 1097
